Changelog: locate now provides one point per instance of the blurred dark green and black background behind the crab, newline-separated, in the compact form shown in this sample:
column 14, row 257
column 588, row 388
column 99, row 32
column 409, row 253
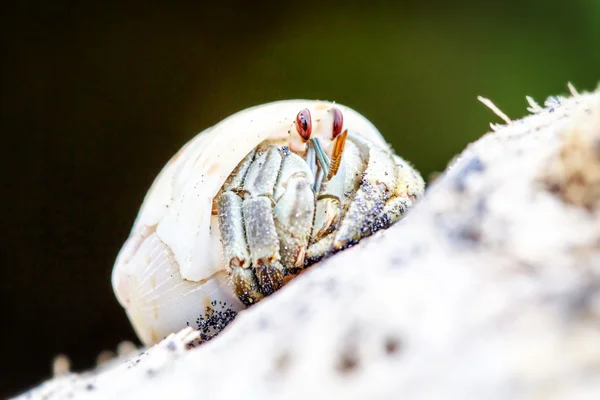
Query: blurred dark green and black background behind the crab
column 96, row 97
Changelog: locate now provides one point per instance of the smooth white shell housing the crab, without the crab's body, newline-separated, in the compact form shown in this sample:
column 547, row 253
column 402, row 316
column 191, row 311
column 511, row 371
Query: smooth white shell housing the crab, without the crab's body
column 170, row 268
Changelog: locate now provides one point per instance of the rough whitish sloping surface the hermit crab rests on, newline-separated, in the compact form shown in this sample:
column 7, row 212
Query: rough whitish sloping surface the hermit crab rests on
column 489, row 289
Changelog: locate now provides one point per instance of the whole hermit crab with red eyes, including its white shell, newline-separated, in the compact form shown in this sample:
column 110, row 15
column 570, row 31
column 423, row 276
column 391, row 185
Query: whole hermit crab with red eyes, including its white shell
column 251, row 202
